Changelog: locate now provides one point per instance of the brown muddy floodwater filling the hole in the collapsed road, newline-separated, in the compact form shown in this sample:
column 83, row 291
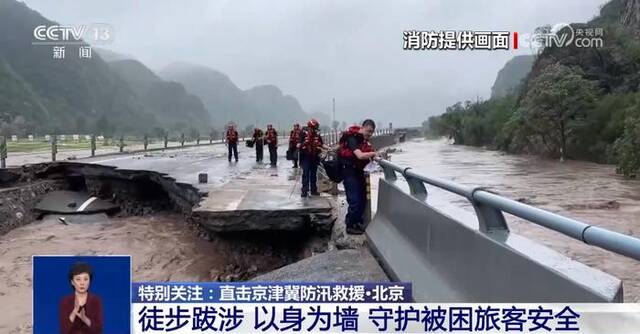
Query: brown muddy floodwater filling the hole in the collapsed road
column 161, row 246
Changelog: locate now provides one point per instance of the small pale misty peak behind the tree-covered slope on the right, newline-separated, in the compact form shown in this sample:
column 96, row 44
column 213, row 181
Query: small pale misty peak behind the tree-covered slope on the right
column 511, row 75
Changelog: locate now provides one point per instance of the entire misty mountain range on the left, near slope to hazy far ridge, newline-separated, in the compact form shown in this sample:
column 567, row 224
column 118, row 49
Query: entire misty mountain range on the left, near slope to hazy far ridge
column 111, row 93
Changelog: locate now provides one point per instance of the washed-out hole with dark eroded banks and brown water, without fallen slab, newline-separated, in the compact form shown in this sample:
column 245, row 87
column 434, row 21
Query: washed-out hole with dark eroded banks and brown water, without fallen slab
column 153, row 225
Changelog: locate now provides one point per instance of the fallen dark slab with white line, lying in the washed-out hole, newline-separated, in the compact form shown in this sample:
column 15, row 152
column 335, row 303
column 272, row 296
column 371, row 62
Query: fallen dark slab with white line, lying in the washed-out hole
column 73, row 202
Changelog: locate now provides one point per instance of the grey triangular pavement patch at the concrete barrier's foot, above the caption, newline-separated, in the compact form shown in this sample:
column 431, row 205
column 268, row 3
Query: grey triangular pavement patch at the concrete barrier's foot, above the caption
column 349, row 265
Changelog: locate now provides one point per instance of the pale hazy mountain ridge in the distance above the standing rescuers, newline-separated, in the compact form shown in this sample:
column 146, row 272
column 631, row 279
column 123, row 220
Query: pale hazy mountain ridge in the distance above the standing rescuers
column 226, row 102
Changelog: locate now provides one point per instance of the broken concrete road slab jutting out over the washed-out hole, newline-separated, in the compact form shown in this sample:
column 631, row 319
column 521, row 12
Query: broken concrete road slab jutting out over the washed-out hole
column 264, row 199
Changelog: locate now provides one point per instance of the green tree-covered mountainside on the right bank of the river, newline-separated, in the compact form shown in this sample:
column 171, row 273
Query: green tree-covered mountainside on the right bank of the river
column 577, row 102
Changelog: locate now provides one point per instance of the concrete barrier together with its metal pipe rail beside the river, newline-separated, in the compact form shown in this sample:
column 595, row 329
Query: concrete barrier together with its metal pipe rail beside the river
column 456, row 260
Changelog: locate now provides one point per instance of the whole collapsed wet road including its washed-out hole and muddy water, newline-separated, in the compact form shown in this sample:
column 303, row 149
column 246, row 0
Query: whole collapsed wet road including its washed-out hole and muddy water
column 246, row 221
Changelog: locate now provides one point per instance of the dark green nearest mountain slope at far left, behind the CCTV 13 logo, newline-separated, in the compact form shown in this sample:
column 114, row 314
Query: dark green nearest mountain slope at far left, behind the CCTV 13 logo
column 39, row 93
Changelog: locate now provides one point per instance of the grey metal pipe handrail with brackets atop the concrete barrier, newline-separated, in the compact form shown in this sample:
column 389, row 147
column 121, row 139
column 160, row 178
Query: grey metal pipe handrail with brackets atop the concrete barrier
column 489, row 209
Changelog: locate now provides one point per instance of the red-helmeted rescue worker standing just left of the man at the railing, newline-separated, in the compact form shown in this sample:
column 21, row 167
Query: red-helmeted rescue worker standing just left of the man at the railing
column 310, row 145
